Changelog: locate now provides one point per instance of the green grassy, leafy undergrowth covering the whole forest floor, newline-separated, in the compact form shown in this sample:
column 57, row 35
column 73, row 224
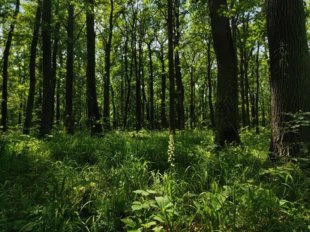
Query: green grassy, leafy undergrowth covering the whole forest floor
column 149, row 181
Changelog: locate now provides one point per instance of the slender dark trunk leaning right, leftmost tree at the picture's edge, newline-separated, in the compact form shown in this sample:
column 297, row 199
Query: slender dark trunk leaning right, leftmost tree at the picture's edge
column 6, row 53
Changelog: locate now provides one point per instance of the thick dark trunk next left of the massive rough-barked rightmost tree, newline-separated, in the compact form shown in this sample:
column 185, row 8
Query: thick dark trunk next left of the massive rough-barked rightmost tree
column 227, row 84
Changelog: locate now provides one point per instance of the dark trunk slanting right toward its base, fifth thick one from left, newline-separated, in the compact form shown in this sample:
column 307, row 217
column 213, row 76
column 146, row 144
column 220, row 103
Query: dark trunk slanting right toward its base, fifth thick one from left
column 93, row 110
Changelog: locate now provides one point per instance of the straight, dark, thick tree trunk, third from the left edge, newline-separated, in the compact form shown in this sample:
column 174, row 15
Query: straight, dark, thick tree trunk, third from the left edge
column 47, row 109
